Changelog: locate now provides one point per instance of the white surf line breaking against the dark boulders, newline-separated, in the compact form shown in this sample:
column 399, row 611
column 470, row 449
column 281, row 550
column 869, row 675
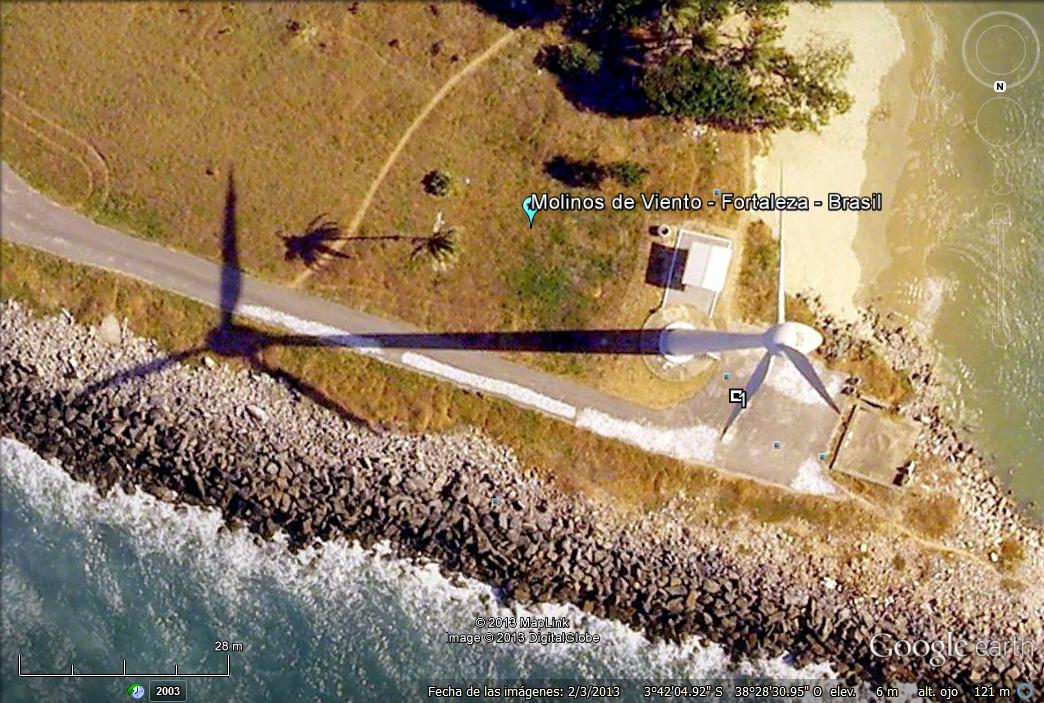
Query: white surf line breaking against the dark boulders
column 453, row 596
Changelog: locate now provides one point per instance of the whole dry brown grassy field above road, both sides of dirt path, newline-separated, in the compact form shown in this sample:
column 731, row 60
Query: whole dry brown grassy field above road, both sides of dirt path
column 139, row 121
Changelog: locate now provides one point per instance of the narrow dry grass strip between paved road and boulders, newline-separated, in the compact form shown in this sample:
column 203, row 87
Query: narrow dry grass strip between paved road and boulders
column 385, row 396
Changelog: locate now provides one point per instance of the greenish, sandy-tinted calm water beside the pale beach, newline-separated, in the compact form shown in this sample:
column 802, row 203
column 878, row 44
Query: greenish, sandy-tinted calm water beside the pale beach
column 966, row 227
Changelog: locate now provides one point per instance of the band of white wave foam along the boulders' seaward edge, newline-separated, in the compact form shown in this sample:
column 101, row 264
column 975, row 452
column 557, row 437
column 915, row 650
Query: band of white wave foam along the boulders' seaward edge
column 344, row 579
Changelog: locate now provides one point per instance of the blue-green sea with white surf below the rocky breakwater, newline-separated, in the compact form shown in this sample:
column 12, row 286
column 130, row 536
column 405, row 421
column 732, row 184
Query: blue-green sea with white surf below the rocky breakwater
column 90, row 581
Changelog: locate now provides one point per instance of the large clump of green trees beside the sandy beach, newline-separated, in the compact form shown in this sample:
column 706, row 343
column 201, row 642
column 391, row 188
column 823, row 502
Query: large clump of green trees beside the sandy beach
column 720, row 62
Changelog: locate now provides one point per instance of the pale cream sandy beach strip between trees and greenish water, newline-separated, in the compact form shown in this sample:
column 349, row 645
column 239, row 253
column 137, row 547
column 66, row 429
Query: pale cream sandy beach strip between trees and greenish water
column 821, row 245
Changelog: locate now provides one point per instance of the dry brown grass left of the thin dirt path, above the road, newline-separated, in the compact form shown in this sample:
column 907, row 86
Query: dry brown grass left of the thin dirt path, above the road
column 174, row 97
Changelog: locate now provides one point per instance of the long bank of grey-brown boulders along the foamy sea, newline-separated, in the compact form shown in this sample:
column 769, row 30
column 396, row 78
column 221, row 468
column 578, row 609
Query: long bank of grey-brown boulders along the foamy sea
column 245, row 446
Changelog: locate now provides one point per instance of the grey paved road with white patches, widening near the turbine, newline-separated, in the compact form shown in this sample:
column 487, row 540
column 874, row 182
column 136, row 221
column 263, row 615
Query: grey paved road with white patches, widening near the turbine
column 787, row 411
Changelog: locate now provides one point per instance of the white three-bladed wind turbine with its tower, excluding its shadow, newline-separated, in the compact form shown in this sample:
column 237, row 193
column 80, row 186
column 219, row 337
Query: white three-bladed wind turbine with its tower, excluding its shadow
column 789, row 339
